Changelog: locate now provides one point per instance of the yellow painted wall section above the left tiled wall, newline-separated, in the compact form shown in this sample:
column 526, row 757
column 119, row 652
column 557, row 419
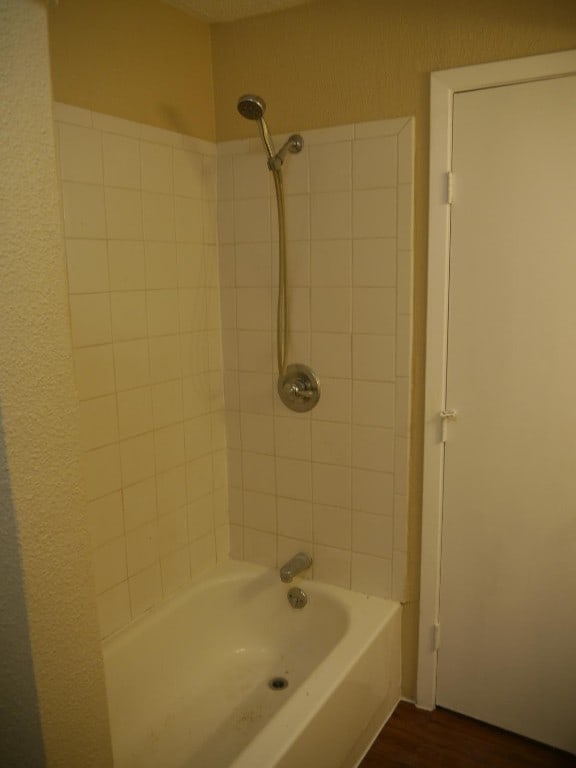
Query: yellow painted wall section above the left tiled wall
column 137, row 59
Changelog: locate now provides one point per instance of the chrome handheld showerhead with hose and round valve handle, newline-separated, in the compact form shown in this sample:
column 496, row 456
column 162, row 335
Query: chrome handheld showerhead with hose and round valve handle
column 297, row 396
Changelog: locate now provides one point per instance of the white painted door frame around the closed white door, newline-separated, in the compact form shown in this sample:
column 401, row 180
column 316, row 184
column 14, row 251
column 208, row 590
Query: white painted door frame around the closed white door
column 443, row 86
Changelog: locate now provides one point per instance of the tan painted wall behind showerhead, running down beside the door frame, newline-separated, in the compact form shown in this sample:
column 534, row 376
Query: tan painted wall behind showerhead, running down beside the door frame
column 336, row 61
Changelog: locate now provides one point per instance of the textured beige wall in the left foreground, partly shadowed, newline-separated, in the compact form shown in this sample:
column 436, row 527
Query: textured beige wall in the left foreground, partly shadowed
column 41, row 497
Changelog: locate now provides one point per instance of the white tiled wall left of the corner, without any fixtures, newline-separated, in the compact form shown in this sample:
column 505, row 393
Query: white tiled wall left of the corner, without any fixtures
column 140, row 240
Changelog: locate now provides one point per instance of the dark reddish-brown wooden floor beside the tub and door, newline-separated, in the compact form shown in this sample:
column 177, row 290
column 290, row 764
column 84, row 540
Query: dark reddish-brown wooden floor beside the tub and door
column 413, row 738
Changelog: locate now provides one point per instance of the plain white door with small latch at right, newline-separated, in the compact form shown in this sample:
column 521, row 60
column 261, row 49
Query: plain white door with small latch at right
column 507, row 649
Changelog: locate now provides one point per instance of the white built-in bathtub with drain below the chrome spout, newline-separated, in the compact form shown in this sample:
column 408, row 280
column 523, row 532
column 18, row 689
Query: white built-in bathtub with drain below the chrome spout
column 188, row 683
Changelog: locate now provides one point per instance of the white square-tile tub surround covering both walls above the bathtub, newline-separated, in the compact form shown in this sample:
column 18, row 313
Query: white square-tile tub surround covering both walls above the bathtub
column 155, row 289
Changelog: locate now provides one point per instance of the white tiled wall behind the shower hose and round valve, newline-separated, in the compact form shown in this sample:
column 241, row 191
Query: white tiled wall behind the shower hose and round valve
column 332, row 481
